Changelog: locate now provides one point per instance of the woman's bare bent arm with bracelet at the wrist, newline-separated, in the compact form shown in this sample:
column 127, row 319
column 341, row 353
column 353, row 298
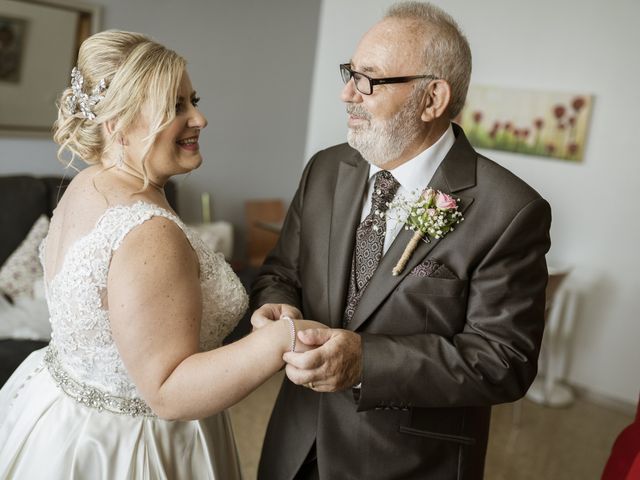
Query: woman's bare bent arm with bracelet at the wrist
column 155, row 305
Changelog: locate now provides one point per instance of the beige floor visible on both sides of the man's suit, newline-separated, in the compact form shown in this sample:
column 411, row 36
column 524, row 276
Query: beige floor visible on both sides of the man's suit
column 546, row 444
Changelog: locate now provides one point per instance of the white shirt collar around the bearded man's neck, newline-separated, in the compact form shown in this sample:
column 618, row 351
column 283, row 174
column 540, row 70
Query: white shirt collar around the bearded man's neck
column 416, row 173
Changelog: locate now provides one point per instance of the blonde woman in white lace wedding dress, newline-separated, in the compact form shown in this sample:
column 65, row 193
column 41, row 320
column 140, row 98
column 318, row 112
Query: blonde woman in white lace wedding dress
column 135, row 382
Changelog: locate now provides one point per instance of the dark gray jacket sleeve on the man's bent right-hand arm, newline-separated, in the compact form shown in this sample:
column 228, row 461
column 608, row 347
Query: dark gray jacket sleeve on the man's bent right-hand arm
column 494, row 357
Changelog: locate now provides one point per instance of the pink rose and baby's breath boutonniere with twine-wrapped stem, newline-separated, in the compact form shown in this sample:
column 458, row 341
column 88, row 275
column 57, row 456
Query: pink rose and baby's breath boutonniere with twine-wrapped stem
column 432, row 215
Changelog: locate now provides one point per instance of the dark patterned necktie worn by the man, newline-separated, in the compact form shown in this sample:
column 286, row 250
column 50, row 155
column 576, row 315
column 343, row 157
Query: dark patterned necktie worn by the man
column 370, row 240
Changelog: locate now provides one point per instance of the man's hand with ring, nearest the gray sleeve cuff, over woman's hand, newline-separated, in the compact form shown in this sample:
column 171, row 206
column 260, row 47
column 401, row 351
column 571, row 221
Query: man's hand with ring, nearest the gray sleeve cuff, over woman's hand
column 336, row 363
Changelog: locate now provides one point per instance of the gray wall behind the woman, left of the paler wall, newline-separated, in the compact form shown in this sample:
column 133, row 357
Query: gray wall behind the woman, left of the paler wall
column 251, row 62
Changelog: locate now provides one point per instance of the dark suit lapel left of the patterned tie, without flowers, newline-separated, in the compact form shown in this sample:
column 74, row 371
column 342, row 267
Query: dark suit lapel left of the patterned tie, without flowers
column 345, row 217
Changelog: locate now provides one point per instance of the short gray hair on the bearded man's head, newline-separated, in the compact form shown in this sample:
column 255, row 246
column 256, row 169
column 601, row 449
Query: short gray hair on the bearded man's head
column 447, row 54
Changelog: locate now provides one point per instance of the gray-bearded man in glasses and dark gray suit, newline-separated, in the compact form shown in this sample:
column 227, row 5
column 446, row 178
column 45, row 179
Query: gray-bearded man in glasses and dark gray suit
column 401, row 386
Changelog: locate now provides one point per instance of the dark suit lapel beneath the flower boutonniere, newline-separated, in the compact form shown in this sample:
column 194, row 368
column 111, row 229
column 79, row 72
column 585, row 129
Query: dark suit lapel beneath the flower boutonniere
column 455, row 173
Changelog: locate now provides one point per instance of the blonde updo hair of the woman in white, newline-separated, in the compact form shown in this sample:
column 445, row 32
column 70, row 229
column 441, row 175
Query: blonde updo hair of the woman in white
column 138, row 72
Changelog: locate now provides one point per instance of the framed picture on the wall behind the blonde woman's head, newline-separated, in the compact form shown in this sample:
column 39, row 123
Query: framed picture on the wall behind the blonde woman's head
column 39, row 43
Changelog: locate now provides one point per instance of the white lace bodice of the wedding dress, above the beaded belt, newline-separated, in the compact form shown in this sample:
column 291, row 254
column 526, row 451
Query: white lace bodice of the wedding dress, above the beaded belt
column 81, row 334
